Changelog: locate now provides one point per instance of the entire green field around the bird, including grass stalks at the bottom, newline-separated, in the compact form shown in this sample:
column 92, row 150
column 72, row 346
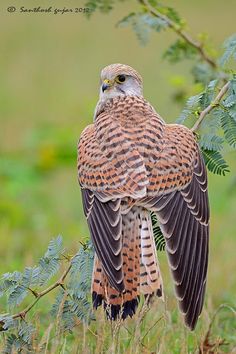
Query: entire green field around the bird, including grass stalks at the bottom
column 49, row 81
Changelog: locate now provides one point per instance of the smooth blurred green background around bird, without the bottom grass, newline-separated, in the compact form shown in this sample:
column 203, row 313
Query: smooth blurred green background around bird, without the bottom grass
column 49, row 80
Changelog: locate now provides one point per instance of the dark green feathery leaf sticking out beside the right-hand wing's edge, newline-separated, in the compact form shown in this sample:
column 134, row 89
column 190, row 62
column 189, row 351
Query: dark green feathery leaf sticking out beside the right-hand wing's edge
column 215, row 162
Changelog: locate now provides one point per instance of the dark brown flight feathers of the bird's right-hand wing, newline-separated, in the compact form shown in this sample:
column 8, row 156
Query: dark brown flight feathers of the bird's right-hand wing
column 184, row 218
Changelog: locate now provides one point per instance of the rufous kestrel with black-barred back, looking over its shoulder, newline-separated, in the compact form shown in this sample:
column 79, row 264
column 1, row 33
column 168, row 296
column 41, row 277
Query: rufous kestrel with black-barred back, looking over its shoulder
column 132, row 163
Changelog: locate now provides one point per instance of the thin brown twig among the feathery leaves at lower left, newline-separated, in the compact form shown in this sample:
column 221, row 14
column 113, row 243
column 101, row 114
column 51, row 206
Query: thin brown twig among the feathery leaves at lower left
column 59, row 282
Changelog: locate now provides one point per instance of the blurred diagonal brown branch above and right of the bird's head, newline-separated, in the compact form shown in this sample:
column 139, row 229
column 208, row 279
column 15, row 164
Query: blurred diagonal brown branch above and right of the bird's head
column 186, row 36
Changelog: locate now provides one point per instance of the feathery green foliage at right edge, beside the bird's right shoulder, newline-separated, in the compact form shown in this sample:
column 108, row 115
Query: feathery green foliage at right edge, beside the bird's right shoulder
column 218, row 128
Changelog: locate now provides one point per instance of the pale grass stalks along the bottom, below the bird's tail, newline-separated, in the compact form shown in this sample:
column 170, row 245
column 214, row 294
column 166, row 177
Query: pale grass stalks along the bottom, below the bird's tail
column 156, row 330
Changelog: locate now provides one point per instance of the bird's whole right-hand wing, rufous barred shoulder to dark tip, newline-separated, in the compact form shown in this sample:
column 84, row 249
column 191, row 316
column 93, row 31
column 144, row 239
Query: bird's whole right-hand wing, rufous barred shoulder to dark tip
column 181, row 203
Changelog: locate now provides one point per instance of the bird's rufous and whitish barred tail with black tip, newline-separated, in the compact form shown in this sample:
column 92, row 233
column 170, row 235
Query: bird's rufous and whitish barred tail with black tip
column 140, row 268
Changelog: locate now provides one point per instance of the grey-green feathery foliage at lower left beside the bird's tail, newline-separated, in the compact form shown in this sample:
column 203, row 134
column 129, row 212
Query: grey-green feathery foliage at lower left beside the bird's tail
column 72, row 303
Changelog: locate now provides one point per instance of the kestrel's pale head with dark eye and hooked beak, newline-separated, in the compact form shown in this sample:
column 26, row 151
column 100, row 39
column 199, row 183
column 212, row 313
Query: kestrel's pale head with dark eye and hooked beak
column 118, row 80
